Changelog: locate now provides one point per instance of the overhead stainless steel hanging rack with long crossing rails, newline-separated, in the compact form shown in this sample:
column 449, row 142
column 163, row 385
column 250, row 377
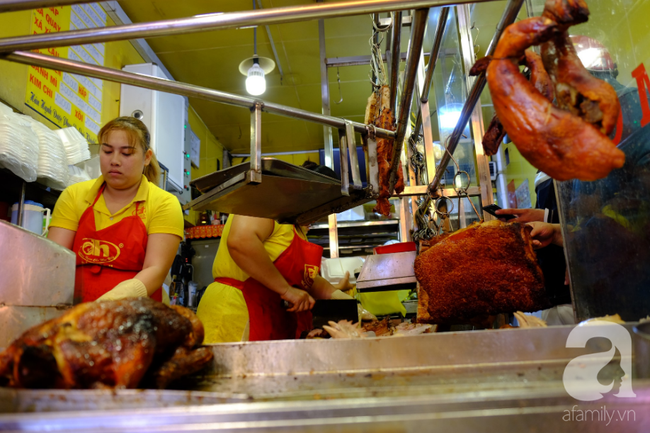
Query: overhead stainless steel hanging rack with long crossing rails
column 14, row 50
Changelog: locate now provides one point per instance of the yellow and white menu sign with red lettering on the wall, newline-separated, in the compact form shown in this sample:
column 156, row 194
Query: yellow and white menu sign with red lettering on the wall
column 62, row 98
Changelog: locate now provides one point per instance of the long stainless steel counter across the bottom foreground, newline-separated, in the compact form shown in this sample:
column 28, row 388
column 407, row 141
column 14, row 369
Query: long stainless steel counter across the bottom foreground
column 507, row 380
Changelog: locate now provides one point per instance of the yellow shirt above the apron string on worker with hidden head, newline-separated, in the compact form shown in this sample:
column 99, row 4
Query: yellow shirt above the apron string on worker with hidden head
column 225, row 266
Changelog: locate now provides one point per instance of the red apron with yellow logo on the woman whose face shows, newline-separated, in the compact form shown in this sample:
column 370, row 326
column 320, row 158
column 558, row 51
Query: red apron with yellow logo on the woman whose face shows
column 109, row 256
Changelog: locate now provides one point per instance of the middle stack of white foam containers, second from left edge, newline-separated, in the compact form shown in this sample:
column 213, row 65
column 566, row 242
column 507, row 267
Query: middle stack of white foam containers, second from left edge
column 52, row 160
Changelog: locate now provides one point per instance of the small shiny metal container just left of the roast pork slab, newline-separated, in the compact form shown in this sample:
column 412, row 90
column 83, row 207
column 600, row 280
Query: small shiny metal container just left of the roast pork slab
column 383, row 272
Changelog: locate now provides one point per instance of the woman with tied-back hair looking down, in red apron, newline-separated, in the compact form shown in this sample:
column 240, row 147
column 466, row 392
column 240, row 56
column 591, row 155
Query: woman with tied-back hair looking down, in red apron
column 122, row 227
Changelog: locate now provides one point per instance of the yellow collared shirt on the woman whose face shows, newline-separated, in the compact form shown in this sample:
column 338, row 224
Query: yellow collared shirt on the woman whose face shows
column 162, row 211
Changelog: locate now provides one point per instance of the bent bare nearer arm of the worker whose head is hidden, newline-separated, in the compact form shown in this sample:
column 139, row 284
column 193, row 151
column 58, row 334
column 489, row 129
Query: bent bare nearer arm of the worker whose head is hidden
column 246, row 247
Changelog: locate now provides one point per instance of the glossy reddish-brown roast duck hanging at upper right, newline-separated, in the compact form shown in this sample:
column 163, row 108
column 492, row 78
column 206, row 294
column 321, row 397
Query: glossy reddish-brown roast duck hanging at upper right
column 568, row 140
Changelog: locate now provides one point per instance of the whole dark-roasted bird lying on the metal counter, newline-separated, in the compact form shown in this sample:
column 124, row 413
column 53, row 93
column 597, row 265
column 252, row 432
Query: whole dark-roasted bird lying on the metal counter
column 135, row 342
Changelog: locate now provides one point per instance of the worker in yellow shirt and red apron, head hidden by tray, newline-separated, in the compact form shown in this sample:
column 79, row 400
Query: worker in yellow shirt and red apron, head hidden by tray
column 261, row 263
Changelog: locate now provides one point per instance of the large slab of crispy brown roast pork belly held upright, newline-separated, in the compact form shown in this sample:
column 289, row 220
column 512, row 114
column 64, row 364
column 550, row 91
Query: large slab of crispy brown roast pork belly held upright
column 486, row 268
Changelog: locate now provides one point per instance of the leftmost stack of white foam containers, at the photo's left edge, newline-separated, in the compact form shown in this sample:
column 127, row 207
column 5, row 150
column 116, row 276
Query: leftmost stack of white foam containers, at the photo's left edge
column 19, row 145
